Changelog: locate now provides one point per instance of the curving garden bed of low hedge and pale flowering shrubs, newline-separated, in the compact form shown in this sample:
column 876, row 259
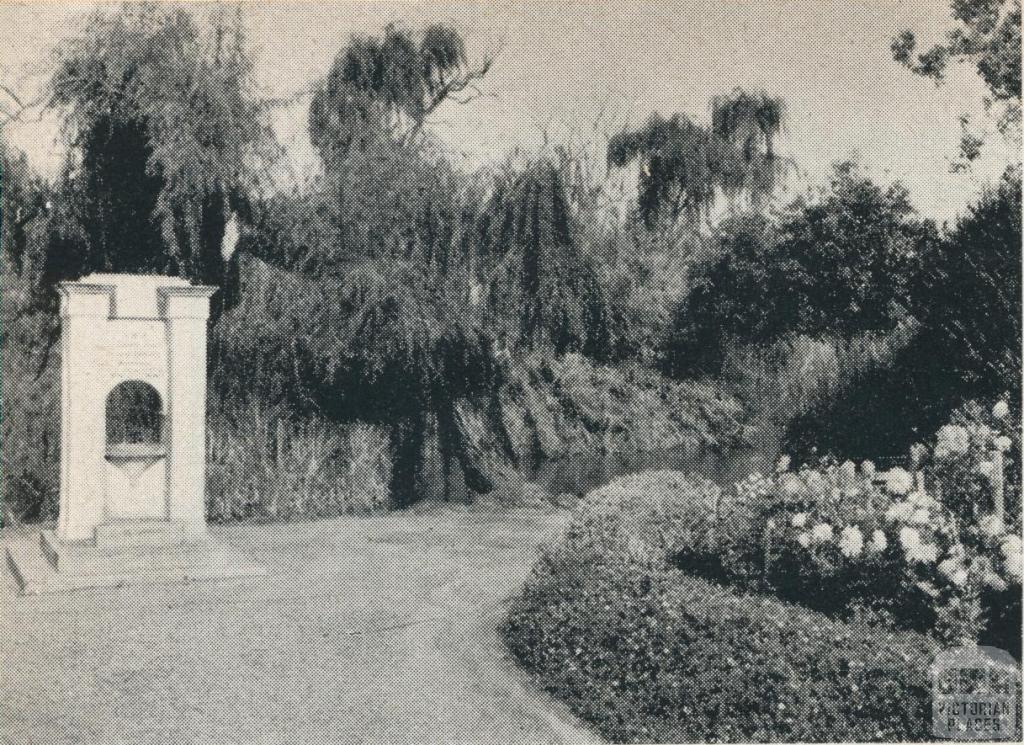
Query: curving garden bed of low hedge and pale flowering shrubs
column 806, row 606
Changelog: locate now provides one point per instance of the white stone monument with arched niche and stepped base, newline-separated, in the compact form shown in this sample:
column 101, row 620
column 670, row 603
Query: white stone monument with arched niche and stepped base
column 133, row 441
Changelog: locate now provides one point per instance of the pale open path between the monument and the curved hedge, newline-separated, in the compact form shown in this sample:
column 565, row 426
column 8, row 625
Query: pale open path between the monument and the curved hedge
column 367, row 630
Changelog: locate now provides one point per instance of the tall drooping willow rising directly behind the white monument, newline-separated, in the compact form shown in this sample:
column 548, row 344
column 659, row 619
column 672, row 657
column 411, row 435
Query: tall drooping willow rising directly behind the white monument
column 166, row 135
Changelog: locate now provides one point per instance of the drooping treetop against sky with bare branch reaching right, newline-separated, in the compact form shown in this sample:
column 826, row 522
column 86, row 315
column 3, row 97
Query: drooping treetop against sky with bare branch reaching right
column 385, row 89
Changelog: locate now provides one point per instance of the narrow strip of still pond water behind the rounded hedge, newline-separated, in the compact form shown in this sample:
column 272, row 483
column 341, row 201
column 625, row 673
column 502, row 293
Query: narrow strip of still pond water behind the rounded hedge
column 579, row 475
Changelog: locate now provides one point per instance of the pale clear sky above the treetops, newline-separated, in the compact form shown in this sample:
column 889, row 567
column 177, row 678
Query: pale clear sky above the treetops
column 578, row 71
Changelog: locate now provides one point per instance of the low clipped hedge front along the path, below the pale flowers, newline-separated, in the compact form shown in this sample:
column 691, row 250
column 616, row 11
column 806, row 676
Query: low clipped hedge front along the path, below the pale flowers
column 650, row 654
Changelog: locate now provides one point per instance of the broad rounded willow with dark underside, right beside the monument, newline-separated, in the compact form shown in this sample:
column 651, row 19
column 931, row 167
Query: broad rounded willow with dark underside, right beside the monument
column 390, row 343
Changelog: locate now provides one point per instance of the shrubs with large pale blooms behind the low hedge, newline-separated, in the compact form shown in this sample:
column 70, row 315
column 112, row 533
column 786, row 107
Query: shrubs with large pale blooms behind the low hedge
column 848, row 541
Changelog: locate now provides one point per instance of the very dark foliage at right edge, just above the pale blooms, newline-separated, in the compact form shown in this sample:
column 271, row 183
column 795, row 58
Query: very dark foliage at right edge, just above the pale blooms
column 967, row 295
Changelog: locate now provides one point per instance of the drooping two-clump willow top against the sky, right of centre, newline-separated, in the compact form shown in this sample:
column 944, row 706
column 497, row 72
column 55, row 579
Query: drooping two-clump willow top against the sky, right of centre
column 686, row 166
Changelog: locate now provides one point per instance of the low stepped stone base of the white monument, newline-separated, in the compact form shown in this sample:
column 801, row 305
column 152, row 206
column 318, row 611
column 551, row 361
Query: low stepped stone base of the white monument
column 131, row 553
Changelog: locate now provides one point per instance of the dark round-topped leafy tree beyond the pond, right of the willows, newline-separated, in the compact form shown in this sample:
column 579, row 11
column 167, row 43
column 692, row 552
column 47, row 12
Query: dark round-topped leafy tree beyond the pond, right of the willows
column 836, row 269
